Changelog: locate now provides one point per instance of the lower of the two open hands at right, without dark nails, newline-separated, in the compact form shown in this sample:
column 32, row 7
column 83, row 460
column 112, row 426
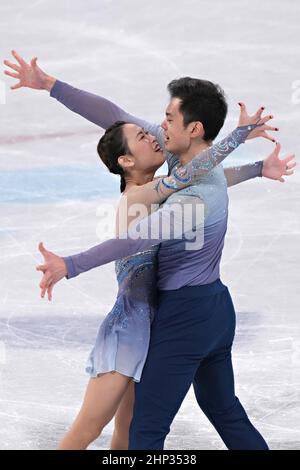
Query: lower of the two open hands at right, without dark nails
column 275, row 169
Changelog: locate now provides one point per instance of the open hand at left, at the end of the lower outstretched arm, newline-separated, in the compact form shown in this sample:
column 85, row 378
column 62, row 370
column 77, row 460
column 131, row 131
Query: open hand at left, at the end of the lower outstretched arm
column 54, row 269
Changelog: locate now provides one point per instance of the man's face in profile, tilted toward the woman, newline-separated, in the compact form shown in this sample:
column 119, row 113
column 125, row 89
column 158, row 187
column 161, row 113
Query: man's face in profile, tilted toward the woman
column 177, row 137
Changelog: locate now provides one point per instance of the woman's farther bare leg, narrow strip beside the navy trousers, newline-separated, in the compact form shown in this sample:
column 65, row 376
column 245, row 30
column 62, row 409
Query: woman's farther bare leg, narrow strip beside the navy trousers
column 123, row 419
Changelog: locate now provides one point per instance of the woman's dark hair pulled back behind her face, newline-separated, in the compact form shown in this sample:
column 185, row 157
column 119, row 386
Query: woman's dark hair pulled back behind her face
column 111, row 146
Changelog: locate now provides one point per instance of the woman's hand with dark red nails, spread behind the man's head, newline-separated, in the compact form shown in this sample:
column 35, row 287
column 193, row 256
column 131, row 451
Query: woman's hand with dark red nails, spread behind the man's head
column 245, row 119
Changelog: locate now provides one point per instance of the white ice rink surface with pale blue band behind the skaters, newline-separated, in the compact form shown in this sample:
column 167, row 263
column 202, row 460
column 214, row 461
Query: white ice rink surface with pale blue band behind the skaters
column 52, row 185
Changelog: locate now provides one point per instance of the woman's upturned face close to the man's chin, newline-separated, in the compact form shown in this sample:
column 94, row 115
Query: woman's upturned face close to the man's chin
column 148, row 155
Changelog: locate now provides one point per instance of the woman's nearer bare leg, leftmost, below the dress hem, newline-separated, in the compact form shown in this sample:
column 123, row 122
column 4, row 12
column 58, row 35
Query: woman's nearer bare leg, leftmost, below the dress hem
column 102, row 398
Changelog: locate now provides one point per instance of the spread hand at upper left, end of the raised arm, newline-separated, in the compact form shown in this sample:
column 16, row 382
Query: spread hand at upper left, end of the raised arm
column 29, row 75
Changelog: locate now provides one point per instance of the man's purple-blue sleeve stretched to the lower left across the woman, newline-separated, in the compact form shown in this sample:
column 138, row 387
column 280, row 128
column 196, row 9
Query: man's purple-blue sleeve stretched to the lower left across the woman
column 177, row 218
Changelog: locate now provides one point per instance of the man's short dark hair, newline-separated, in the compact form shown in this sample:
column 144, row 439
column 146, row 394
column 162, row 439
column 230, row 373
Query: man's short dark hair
column 201, row 100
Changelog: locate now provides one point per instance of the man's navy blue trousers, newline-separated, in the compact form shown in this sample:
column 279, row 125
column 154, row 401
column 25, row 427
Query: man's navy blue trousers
column 191, row 341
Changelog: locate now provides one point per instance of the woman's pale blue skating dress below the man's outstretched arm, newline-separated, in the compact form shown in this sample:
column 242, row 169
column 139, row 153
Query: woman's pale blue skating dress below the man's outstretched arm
column 123, row 337
